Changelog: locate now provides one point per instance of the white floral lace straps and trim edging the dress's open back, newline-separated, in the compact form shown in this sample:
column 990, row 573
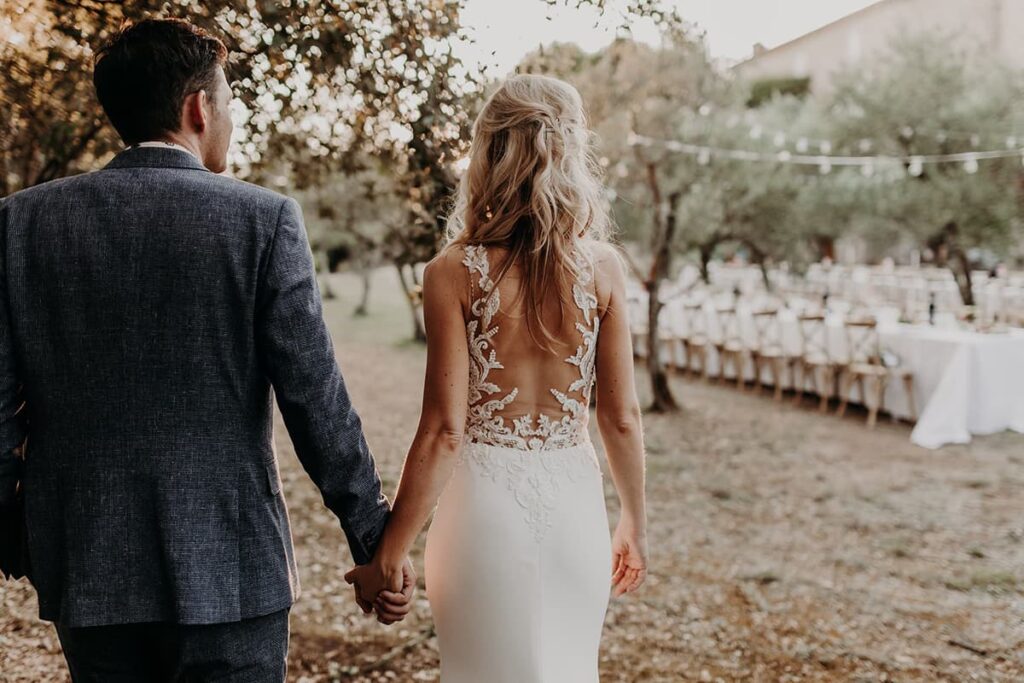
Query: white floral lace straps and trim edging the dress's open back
column 485, row 424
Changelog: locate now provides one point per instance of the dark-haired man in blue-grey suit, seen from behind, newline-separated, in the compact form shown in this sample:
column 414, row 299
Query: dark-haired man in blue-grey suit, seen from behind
column 147, row 310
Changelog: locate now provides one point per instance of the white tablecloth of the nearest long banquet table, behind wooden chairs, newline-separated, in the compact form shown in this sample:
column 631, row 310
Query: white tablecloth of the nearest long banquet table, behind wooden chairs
column 965, row 382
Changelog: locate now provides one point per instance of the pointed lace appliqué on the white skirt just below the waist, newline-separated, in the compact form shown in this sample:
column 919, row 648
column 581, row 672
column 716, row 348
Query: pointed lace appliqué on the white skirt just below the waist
column 535, row 480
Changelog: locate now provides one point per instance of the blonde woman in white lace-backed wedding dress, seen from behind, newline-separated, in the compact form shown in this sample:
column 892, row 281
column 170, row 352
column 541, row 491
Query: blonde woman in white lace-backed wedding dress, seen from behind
column 525, row 310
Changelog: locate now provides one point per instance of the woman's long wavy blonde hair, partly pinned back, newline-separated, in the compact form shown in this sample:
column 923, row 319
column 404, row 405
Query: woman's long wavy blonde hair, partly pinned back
column 533, row 188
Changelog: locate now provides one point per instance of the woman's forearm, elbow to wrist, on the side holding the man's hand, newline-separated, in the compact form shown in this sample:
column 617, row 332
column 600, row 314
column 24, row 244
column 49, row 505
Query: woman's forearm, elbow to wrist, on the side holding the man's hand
column 428, row 469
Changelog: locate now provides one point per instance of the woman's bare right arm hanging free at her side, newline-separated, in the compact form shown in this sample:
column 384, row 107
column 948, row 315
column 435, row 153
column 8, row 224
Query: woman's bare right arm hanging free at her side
column 619, row 421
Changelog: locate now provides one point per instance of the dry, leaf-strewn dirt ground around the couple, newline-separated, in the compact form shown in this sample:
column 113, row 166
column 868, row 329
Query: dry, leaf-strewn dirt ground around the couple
column 786, row 545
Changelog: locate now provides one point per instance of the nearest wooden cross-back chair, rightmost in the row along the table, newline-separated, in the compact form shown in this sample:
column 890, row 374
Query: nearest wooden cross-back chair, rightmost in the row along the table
column 865, row 366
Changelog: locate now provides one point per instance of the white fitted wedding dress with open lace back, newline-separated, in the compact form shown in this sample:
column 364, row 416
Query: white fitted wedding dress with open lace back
column 519, row 556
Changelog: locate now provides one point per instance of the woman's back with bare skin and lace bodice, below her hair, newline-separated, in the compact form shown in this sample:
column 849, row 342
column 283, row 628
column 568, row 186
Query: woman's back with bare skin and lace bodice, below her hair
column 523, row 395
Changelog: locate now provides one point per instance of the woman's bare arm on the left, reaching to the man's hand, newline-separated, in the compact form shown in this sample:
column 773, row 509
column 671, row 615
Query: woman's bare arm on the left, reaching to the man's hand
column 443, row 419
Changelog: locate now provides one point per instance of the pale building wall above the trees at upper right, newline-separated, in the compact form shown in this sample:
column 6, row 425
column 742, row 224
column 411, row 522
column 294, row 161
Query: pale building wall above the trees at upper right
column 987, row 27
